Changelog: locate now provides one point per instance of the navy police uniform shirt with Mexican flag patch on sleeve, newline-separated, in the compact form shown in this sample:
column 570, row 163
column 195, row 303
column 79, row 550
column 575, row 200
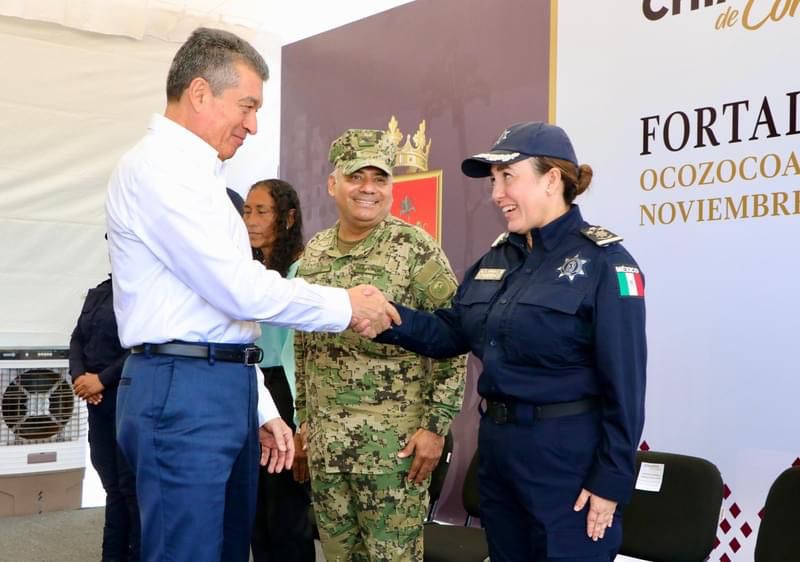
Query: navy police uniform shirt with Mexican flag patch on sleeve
column 561, row 322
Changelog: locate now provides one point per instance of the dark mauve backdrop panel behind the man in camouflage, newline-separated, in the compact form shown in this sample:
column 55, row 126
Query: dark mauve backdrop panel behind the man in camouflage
column 469, row 68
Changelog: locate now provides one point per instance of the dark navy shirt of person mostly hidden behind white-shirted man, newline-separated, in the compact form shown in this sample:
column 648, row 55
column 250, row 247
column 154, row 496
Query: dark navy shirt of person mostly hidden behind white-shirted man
column 94, row 346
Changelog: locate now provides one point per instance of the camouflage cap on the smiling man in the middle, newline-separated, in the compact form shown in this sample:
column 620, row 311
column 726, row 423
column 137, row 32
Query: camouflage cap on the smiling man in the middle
column 359, row 148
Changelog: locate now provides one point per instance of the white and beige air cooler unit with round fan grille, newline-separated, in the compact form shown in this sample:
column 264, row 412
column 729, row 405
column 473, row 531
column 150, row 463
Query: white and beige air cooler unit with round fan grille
column 42, row 433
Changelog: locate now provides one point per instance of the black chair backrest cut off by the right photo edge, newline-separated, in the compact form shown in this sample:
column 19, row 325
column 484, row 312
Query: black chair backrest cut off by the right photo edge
column 779, row 533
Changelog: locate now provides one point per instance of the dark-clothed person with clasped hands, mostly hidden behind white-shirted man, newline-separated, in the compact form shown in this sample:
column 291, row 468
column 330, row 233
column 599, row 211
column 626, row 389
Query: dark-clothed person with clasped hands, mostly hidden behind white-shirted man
column 95, row 364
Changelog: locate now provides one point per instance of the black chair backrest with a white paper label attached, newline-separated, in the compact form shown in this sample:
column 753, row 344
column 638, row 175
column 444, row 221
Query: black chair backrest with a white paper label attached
column 679, row 522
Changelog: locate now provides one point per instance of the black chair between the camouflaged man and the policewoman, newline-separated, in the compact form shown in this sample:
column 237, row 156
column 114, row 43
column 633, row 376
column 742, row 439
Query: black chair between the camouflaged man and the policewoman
column 452, row 543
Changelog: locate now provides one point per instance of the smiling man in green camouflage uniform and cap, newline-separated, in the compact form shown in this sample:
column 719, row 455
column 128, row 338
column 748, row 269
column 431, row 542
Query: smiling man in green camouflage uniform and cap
column 374, row 415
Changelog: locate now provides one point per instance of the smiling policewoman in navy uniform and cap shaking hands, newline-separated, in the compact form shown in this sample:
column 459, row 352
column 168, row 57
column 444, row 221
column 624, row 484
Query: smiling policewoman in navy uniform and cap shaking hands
column 555, row 311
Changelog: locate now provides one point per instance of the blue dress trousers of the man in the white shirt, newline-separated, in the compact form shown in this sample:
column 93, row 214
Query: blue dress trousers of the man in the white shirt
column 188, row 428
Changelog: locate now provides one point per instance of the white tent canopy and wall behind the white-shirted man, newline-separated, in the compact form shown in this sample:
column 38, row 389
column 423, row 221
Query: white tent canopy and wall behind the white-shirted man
column 84, row 76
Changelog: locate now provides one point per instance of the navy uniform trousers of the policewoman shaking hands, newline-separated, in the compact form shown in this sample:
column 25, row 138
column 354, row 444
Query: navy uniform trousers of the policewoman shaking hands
column 530, row 476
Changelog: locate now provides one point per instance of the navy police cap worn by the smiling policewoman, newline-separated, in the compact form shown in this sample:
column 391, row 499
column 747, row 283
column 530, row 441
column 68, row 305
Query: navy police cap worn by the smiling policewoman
column 521, row 141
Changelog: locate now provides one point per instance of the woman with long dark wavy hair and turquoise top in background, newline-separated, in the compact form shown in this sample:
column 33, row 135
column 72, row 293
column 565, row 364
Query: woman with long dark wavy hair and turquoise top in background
column 282, row 530
